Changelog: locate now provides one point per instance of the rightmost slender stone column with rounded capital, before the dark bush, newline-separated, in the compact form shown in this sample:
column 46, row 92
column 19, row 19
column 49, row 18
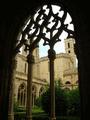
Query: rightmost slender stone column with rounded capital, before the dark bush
column 51, row 56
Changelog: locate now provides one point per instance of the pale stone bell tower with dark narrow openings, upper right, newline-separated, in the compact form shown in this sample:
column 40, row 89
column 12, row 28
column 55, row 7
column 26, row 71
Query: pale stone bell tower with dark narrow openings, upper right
column 69, row 48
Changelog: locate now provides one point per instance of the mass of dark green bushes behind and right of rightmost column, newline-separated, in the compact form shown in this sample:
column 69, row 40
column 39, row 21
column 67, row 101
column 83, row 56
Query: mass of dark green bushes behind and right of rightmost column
column 67, row 103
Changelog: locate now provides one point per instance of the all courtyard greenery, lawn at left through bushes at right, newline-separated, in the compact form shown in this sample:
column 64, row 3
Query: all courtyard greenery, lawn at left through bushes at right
column 67, row 105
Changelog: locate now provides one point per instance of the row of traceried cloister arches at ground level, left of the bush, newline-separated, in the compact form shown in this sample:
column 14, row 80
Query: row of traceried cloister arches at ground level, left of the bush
column 21, row 95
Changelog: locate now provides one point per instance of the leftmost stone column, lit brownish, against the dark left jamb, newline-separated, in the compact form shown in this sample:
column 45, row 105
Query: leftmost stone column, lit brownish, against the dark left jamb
column 11, row 89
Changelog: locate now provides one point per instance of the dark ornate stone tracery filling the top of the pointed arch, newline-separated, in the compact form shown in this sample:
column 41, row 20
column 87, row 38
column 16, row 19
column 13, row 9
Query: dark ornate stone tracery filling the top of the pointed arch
column 48, row 23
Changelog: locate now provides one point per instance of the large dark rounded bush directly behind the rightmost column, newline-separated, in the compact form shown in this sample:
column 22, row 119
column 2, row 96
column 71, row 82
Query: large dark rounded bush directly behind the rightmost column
column 60, row 100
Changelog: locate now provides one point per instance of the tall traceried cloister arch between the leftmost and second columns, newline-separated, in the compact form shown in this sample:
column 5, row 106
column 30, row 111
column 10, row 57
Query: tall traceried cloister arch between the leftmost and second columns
column 22, row 95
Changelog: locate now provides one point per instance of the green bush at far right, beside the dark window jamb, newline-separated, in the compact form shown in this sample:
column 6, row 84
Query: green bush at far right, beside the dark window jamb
column 73, row 102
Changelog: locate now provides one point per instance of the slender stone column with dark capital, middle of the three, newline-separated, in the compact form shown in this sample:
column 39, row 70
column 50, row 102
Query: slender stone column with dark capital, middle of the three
column 30, row 60
